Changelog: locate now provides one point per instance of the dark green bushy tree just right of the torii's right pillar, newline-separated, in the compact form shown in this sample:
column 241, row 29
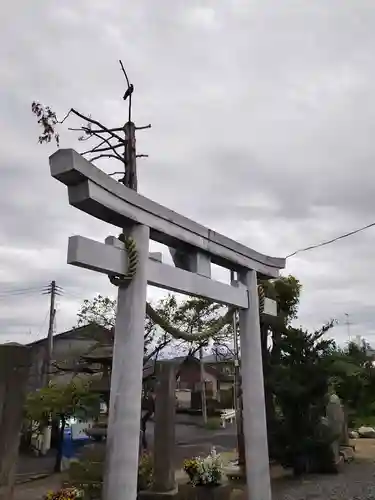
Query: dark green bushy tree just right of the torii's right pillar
column 300, row 384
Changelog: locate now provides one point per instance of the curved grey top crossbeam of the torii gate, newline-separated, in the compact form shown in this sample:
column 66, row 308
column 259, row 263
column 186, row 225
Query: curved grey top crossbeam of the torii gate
column 94, row 192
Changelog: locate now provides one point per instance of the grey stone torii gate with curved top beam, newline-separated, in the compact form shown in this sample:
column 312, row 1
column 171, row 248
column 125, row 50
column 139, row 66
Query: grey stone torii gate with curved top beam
column 194, row 247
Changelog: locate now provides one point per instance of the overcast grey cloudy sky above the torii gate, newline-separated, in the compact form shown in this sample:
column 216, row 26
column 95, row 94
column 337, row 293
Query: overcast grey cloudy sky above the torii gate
column 263, row 117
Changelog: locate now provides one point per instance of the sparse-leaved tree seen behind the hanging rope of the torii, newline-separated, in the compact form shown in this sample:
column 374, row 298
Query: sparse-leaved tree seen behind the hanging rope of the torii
column 185, row 320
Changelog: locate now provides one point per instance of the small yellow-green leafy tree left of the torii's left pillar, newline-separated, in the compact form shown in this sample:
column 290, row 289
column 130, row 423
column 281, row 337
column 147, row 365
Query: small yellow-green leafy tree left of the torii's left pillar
column 62, row 403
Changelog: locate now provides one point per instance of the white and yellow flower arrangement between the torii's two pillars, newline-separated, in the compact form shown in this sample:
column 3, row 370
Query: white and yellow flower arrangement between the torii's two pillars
column 204, row 471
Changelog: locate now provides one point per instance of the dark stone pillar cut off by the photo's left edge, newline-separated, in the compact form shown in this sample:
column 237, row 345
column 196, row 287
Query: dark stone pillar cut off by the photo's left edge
column 15, row 363
